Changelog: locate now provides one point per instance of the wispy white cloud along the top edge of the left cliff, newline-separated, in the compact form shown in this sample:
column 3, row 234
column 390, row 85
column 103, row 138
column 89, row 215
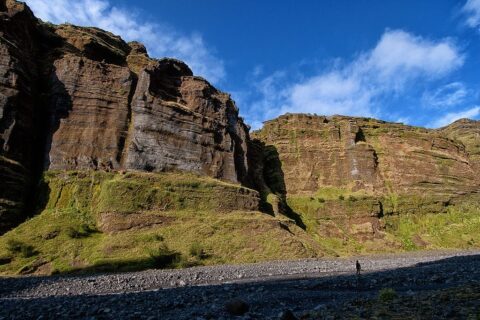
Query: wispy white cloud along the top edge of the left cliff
column 160, row 40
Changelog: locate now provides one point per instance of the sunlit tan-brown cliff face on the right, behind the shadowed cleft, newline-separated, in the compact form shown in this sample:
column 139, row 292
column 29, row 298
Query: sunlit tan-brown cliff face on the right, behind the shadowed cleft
column 355, row 170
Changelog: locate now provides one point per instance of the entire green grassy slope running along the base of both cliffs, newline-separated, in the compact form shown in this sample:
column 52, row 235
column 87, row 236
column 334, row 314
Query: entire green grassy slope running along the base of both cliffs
column 100, row 221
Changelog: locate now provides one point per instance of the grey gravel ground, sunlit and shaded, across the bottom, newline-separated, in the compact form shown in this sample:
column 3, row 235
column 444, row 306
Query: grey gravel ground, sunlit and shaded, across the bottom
column 323, row 288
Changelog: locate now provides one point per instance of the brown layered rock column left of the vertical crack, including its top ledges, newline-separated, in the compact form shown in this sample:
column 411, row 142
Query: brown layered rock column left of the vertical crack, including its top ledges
column 88, row 103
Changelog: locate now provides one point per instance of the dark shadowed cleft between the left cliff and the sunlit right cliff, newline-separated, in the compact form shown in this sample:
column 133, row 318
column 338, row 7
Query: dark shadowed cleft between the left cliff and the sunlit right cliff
column 267, row 176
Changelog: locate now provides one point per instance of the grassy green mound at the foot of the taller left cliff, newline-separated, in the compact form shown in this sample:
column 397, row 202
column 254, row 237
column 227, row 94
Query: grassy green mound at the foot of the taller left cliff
column 98, row 221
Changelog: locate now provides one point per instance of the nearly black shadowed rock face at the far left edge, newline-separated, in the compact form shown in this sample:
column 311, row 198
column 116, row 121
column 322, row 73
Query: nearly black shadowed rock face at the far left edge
column 18, row 109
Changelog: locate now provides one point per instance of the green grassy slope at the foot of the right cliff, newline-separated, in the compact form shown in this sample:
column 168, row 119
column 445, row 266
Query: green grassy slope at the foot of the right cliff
column 349, row 234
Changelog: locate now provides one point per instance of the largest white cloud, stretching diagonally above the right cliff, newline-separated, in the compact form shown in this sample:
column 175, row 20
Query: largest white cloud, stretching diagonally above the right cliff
column 397, row 61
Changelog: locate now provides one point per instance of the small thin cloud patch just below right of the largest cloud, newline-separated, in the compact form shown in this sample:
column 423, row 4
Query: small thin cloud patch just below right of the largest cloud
column 449, row 95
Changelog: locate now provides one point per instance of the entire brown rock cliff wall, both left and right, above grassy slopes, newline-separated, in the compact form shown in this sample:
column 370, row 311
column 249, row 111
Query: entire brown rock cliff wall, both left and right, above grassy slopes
column 82, row 99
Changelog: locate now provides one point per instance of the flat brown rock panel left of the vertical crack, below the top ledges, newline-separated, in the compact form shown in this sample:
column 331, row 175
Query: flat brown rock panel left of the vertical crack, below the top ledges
column 88, row 108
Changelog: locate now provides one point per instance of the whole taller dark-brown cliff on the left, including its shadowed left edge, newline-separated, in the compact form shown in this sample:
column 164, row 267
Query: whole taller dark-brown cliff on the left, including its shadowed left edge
column 76, row 98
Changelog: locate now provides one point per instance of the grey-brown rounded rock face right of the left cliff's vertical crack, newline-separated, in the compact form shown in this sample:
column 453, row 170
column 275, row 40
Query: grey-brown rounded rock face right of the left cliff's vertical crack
column 180, row 122
